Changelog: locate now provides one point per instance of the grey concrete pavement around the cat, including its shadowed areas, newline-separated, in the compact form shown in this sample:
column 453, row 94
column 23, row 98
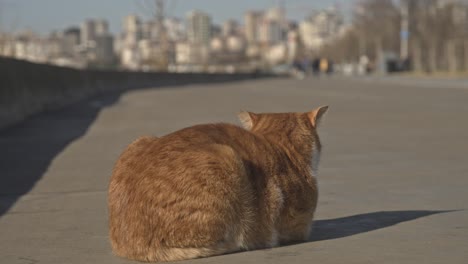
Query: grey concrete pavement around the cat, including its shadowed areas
column 393, row 178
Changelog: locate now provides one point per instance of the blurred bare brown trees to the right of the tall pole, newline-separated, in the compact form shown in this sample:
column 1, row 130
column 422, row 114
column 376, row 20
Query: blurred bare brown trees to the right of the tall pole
column 437, row 34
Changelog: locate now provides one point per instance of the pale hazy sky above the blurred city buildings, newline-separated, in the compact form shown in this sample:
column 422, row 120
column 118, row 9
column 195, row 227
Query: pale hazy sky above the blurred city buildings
column 46, row 15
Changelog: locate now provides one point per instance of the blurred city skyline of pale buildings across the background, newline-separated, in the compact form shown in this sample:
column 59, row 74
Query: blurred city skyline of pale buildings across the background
column 263, row 38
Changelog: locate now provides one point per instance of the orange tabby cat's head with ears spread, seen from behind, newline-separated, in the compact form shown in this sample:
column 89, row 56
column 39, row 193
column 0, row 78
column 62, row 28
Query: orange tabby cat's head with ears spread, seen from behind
column 291, row 130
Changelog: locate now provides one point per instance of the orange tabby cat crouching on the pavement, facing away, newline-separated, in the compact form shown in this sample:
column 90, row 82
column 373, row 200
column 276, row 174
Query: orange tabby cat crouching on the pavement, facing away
column 217, row 188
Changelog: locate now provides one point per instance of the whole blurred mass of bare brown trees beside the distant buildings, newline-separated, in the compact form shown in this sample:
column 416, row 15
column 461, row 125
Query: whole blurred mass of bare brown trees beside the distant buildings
column 437, row 33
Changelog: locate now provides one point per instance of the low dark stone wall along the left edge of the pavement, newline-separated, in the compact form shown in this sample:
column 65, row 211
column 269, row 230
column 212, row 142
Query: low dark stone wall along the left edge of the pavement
column 28, row 88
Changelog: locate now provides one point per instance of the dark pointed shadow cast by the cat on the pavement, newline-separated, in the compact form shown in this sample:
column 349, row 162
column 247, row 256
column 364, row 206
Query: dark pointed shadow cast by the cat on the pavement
column 362, row 223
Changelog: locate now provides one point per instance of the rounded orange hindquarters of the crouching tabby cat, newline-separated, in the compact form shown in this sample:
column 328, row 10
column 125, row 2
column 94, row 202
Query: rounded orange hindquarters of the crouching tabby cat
column 187, row 184
